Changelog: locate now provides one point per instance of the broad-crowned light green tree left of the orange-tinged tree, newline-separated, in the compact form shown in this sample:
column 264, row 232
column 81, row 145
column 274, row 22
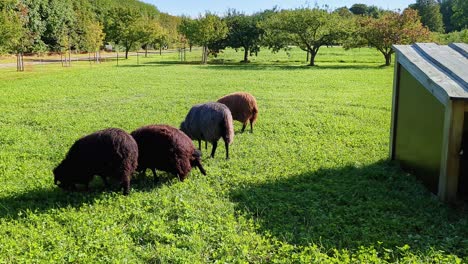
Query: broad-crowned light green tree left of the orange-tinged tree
column 309, row 29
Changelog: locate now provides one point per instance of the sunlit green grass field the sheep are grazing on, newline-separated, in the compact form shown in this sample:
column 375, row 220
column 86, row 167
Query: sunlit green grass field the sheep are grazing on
column 312, row 184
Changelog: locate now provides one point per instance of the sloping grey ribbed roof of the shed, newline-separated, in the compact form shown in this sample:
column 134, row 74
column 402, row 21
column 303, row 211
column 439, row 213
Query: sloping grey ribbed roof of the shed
column 443, row 70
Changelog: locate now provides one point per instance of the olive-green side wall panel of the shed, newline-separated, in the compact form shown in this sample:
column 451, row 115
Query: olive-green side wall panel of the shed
column 419, row 130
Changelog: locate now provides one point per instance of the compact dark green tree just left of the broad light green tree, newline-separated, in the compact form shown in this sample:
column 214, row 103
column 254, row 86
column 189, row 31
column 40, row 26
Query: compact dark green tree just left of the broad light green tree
column 244, row 32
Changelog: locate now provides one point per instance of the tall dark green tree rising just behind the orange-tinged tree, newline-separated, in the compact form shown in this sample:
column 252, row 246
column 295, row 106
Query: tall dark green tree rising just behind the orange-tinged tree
column 429, row 10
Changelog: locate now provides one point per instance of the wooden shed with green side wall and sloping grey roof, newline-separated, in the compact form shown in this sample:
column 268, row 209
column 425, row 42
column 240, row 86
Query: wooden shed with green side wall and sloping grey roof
column 429, row 129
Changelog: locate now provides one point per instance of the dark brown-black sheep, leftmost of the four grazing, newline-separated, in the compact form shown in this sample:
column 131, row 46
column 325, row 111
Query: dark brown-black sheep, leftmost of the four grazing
column 110, row 153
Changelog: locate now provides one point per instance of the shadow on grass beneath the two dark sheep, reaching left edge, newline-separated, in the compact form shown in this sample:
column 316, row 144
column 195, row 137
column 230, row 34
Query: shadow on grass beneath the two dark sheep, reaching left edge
column 42, row 200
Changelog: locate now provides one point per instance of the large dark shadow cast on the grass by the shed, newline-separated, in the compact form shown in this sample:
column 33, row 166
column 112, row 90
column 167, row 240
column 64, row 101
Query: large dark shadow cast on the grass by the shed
column 350, row 207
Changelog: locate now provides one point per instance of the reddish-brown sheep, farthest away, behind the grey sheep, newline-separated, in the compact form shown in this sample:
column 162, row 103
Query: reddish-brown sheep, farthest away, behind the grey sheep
column 243, row 107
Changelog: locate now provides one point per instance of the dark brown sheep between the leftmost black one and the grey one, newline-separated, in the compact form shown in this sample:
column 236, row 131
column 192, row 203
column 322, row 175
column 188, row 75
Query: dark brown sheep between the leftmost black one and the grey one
column 168, row 149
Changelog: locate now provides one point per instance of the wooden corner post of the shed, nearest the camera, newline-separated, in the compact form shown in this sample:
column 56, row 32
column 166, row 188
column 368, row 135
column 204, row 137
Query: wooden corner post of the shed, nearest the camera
column 450, row 162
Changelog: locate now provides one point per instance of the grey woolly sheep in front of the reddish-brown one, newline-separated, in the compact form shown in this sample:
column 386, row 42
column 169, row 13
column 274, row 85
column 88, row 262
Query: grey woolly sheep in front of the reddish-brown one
column 209, row 122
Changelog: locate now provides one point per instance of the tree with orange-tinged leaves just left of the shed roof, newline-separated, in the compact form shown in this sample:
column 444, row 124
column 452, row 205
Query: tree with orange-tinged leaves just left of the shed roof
column 391, row 28
